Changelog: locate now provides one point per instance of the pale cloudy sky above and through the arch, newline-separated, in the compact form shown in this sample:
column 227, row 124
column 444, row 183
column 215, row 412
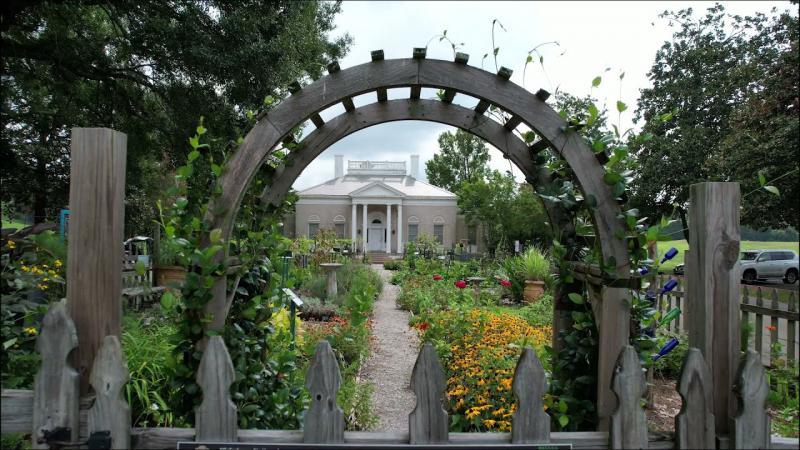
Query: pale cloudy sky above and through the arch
column 591, row 36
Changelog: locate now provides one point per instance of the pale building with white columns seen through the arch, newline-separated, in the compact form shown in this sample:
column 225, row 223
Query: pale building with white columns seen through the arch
column 382, row 202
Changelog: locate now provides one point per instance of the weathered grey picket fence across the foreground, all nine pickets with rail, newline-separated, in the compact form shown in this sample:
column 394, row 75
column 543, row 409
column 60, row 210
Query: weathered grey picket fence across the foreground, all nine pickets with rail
column 57, row 417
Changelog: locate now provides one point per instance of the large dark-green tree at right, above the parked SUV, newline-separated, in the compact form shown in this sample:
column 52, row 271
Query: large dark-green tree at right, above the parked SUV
column 726, row 87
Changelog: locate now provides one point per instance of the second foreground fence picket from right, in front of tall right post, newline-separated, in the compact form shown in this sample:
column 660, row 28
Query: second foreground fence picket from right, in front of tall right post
column 694, row 425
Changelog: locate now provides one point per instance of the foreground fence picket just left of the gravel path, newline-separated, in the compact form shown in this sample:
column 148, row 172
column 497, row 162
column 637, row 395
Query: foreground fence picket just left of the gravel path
column 324, row 420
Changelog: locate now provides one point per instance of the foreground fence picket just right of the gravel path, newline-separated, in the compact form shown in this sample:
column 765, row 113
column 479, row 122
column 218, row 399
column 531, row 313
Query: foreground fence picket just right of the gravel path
column 428, row 423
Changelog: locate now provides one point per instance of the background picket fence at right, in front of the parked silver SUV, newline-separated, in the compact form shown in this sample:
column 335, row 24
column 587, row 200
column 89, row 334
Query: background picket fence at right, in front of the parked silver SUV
column 773, row 323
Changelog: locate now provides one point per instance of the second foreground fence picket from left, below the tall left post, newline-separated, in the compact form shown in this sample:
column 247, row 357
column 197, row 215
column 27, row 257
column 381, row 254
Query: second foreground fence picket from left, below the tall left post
column 110, row 412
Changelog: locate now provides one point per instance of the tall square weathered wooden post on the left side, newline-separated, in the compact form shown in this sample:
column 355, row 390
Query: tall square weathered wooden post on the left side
column 94, row 258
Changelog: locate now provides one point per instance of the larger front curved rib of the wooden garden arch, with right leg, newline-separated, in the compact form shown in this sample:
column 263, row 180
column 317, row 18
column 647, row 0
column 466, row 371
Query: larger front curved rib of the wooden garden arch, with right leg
column 340, row 86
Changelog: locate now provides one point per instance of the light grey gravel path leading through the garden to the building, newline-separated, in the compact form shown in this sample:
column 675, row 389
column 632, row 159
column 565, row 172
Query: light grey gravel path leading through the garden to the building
column 389, row 366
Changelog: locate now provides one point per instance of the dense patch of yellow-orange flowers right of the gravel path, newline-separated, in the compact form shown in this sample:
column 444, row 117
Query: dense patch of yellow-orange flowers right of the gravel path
column 480, row 350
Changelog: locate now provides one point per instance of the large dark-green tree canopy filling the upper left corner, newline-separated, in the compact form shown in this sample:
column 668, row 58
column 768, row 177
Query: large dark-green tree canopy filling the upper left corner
column 149, row 69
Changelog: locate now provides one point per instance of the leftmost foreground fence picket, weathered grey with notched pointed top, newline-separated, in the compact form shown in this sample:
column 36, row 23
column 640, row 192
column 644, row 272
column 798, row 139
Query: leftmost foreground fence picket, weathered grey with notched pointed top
column 56, row 386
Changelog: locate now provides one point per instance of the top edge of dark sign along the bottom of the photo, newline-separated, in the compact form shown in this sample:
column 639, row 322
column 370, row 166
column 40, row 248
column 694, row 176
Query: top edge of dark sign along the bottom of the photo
column 346, row 446
